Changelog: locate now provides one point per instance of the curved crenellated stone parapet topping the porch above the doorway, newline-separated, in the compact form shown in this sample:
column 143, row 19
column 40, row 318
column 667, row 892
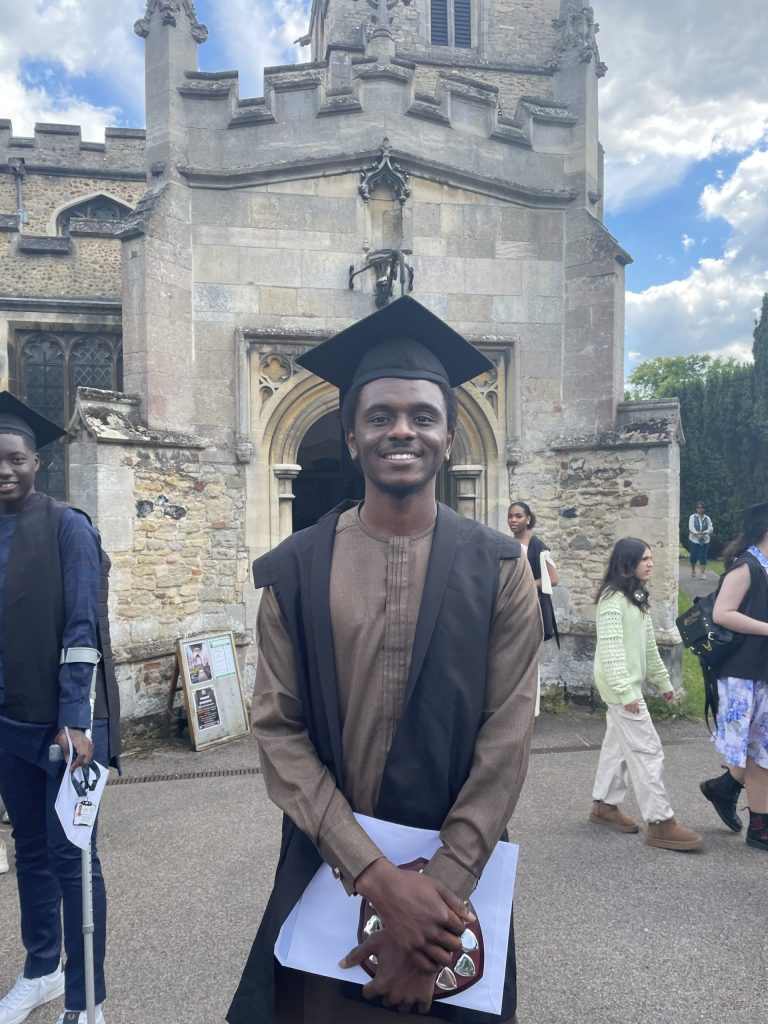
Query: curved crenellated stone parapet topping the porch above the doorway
column 321, row 113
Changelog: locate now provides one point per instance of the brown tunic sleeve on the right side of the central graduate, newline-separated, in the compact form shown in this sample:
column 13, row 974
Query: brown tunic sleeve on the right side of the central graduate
column 487, row 800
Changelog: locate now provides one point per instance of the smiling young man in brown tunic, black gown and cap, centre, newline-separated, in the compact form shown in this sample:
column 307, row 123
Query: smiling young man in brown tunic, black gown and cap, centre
column 397, row 677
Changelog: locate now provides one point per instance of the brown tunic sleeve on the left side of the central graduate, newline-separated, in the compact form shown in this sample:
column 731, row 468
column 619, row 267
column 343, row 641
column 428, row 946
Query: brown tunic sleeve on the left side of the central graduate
column 295, row 778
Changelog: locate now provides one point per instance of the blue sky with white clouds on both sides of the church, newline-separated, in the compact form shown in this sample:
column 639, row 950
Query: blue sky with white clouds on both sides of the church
column 684, row 119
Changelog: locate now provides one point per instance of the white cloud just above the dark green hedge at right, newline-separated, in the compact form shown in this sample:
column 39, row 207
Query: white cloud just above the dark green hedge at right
column 713, row 309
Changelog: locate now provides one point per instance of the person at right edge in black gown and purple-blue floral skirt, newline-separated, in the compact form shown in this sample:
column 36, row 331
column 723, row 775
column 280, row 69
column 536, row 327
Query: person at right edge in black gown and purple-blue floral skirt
column 742, row 737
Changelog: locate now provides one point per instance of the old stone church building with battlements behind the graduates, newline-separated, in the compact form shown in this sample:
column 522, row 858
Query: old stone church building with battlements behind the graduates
column 156, row 289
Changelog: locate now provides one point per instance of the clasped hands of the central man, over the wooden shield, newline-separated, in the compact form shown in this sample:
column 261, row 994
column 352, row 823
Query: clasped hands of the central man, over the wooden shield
column 423, row 923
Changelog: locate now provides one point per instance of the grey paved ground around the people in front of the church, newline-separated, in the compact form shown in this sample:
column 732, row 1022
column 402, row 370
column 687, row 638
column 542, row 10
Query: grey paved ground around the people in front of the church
column 609, row 931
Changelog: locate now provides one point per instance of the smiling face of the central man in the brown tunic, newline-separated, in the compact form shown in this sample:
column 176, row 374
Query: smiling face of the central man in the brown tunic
column 401, row 437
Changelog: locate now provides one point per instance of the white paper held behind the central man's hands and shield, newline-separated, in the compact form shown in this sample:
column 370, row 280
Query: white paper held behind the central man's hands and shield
column 323, row 926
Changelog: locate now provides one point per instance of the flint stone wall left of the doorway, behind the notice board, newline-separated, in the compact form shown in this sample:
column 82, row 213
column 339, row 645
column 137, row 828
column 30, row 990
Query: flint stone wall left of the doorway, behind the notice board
column 169, row 520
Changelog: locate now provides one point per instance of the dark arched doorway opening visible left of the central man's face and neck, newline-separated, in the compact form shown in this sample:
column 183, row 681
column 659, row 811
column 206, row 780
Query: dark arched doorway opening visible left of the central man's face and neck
column 327, row 476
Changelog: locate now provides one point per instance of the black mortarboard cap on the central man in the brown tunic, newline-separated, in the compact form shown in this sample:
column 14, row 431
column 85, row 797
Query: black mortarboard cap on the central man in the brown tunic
column 404, row 340
